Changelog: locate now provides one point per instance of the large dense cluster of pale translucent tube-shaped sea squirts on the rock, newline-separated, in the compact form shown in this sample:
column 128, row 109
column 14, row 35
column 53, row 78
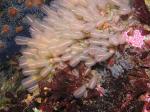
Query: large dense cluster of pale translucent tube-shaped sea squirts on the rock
column 74, row 31
